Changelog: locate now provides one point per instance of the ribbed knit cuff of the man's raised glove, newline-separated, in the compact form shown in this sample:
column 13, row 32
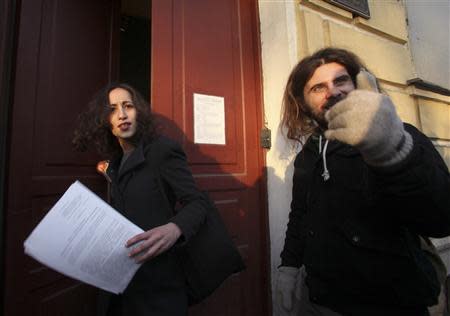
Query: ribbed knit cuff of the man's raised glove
column 402, row 149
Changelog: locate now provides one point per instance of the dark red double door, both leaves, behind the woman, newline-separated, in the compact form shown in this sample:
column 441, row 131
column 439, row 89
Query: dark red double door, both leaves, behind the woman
column 66, row 51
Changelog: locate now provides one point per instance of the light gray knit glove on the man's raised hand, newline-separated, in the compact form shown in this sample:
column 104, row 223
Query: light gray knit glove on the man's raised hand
column 368, row 121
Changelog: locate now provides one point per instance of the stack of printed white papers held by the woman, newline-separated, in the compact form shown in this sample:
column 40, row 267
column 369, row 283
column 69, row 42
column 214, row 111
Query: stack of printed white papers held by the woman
column 84, row 238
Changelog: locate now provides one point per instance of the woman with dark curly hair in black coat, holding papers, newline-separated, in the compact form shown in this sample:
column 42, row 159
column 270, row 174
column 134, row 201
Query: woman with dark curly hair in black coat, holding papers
column 119, row 125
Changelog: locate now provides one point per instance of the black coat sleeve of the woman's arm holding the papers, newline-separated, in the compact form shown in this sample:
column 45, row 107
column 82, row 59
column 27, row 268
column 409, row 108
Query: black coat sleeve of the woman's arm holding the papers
column 175, row 172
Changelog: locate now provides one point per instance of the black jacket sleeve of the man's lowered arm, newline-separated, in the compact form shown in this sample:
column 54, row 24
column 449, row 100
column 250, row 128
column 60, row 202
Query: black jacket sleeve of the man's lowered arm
column 292, row 253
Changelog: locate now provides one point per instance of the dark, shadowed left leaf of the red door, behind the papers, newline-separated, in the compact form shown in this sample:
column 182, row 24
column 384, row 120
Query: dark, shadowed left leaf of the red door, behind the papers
column 63, row 57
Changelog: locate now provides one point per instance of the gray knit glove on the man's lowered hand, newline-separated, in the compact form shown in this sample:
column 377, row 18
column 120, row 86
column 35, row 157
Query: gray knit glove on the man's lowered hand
column 285, row 287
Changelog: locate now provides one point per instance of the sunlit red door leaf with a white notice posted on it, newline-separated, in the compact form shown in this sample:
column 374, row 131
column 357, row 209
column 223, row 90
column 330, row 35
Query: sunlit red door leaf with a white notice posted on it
column 212, row 48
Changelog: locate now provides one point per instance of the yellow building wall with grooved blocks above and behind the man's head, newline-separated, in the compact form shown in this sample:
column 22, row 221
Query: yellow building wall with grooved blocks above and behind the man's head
column 382, row 43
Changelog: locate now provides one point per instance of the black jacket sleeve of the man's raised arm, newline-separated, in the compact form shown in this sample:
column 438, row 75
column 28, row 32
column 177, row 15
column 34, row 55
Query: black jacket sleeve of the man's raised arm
column 417, row 191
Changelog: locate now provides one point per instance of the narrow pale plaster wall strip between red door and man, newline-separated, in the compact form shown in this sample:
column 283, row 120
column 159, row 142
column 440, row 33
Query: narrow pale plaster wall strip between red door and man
column 279, row 55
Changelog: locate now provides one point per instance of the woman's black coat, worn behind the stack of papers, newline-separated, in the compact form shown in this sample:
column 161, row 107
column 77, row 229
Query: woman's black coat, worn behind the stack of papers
column 158, row 288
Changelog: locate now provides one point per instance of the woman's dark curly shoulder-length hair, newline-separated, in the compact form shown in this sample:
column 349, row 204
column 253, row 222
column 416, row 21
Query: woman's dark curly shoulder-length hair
column 94, row 129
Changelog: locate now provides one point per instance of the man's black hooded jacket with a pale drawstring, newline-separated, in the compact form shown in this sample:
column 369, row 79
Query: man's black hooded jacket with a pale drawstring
column 356, row 233
